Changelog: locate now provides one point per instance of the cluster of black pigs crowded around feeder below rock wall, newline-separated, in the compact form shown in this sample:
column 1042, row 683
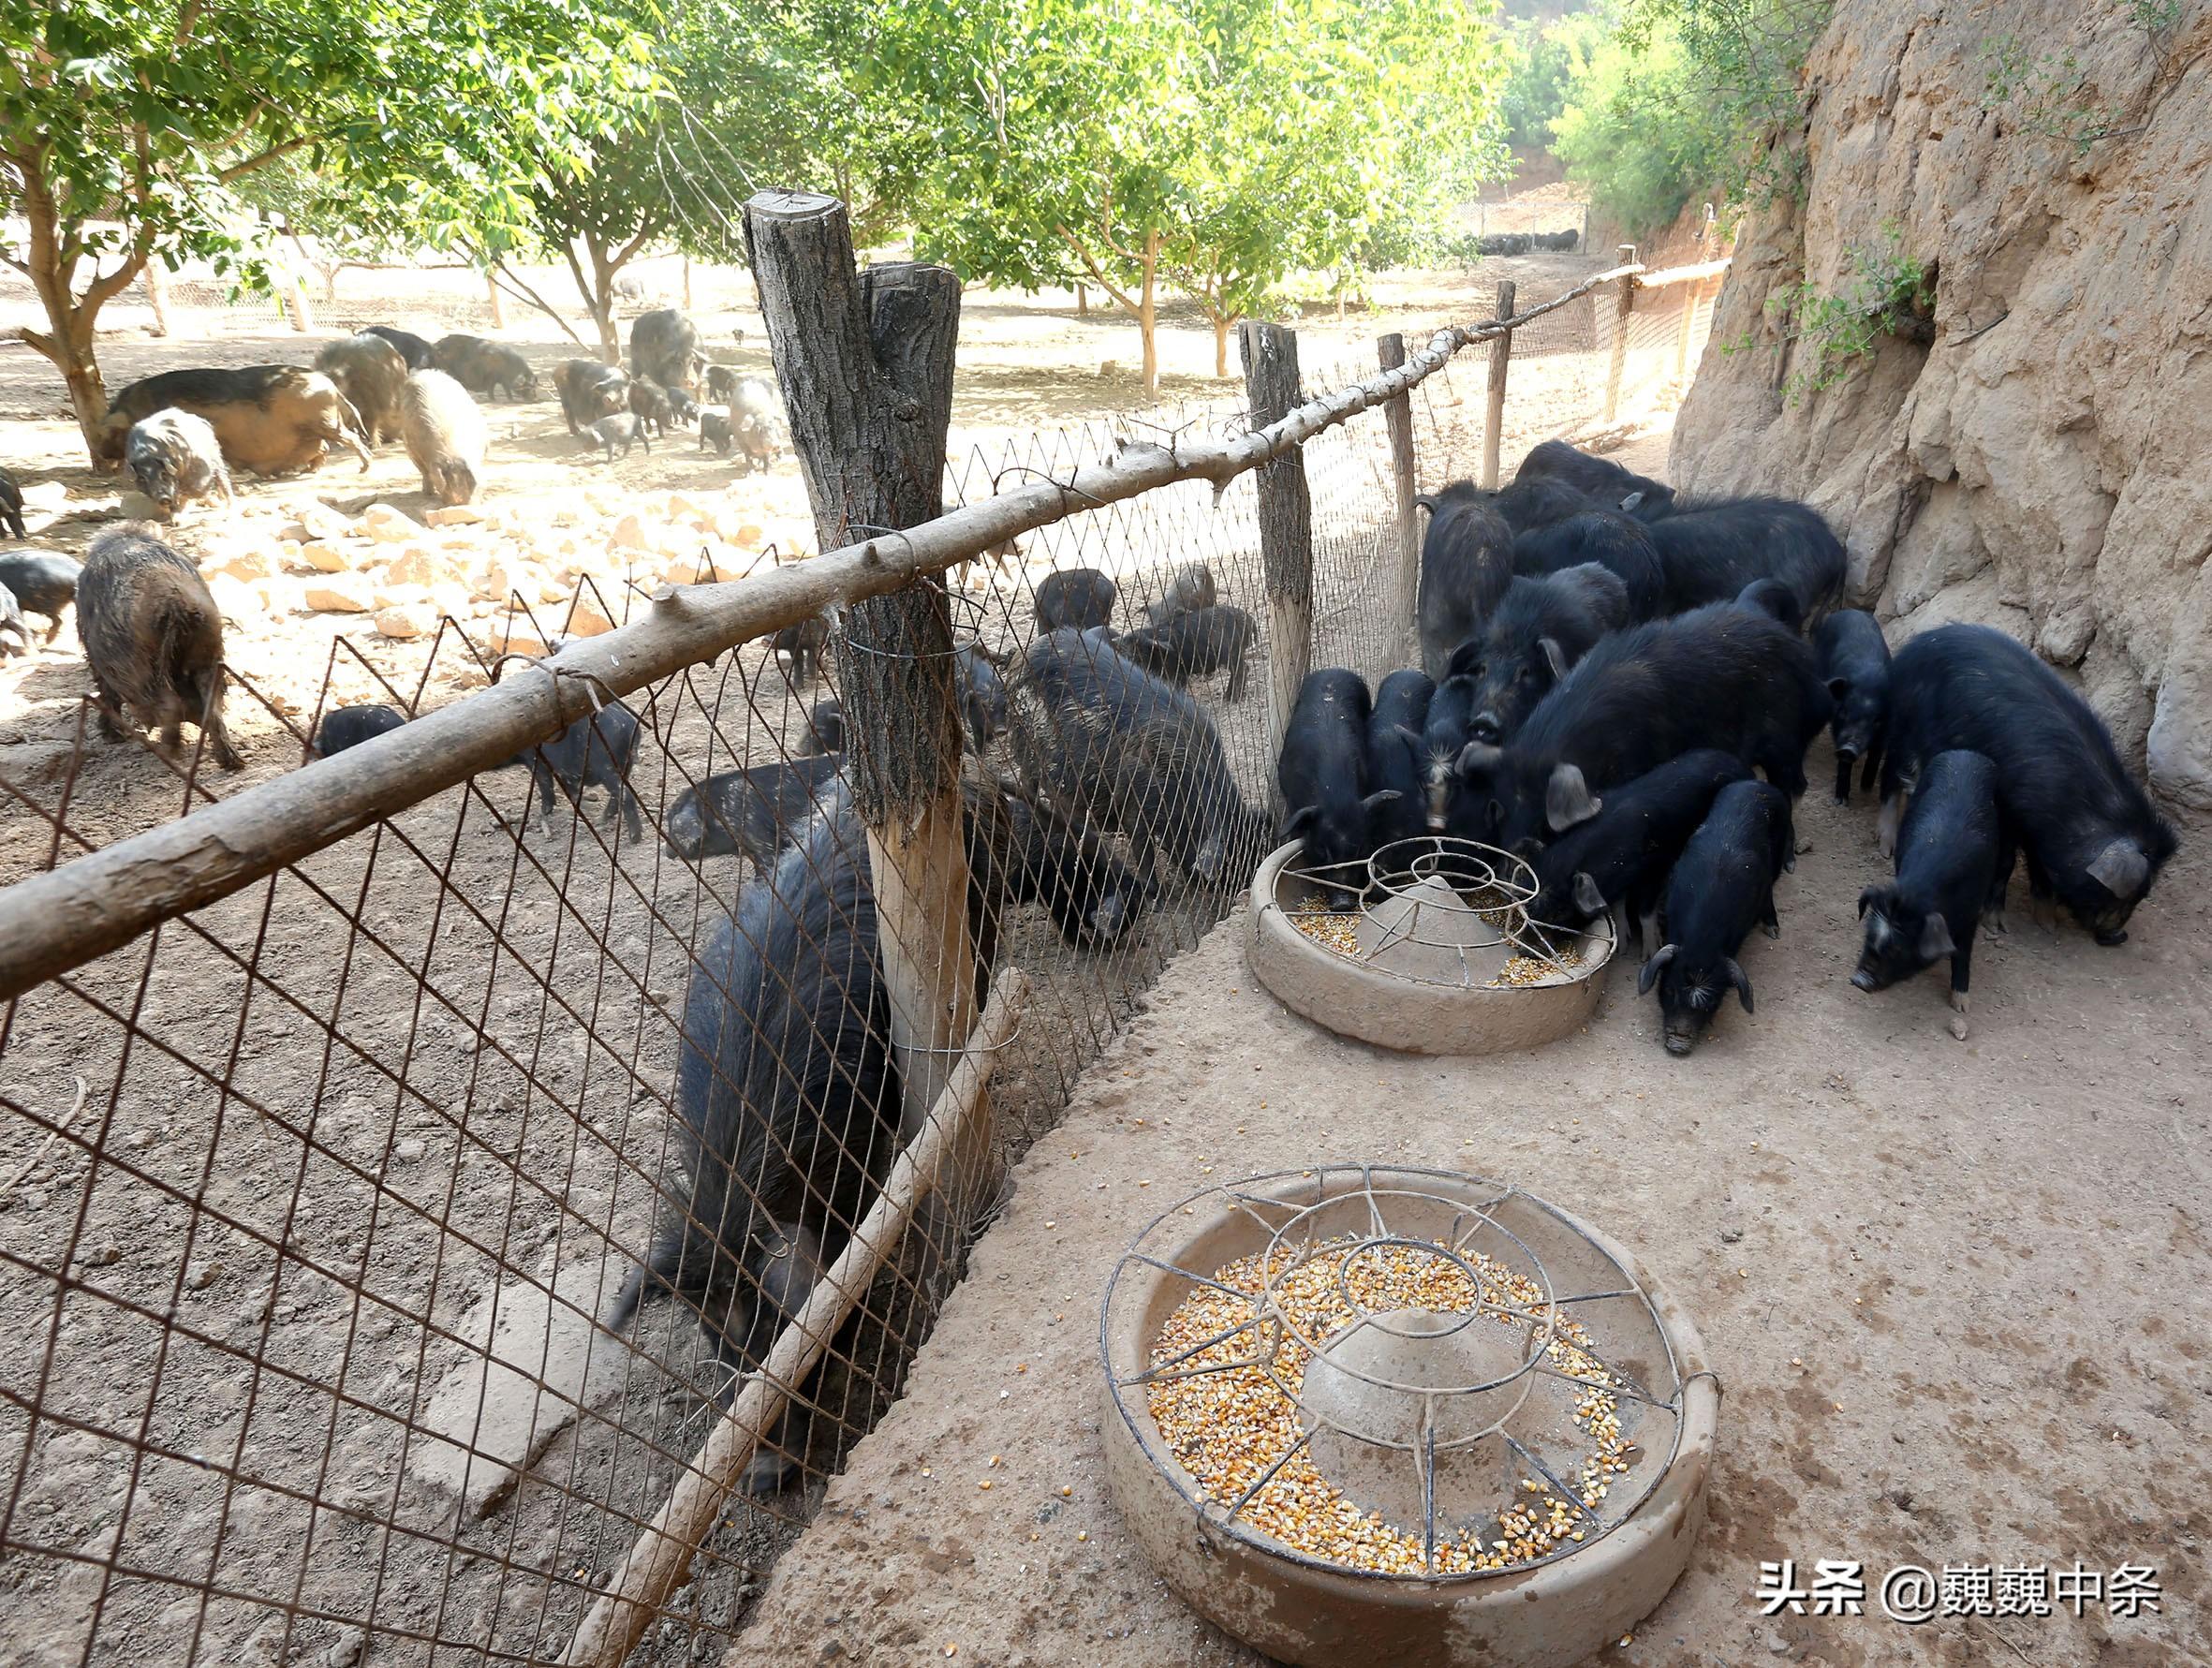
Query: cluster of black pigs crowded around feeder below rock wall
column 1605, row 669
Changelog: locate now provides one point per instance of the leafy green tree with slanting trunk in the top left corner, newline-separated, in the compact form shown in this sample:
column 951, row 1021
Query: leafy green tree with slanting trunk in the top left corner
column 129, row 125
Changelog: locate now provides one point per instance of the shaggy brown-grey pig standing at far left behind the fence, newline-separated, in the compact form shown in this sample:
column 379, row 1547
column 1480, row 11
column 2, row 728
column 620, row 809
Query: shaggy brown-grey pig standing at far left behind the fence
column 154, row 640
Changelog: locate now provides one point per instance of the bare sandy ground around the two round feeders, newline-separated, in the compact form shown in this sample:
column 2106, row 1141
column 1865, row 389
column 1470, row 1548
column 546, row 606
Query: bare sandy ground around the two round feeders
column 1954, row 1291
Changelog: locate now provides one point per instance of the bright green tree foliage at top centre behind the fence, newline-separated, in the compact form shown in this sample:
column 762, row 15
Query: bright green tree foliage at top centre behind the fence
column 1211, row 145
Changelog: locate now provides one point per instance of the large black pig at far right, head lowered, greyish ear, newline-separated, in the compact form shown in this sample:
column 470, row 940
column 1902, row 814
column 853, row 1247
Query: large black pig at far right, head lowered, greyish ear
column 2085, row 826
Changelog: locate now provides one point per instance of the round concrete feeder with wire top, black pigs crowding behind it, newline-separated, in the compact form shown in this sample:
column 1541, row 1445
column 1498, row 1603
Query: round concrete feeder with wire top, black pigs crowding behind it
column 1434, row 930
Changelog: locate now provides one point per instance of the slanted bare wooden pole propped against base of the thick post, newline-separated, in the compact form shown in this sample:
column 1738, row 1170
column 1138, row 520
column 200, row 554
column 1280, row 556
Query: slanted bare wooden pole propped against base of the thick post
column 660, row 1558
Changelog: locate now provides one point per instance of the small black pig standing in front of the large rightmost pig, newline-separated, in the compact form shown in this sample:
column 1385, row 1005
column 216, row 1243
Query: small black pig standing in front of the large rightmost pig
column 1954, row 857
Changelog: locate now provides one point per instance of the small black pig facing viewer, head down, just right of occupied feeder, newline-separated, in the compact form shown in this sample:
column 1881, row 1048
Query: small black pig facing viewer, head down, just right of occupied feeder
column 1720, row 888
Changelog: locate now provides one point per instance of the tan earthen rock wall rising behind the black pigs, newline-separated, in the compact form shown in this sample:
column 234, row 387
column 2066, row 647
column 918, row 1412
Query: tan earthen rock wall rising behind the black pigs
column 2045, row 466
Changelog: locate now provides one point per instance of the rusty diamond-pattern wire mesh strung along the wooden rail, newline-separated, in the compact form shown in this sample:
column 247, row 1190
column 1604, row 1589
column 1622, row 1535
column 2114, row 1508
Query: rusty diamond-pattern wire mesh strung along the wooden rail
column 284, row 1174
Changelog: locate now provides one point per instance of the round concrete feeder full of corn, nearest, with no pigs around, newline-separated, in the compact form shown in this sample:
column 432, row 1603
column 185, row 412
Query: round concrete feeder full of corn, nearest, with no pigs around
column 1434, row 1419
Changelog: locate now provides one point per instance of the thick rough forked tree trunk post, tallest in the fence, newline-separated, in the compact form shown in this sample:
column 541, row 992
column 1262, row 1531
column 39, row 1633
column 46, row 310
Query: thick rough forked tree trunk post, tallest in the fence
column 866, row 364
